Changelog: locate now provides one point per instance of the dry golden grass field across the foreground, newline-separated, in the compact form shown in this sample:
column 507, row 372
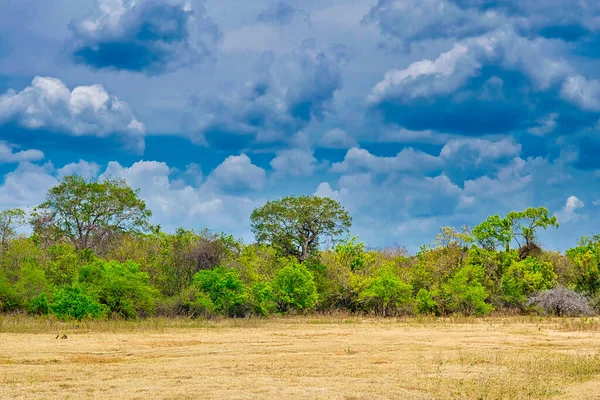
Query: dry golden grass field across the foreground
column 334, row 357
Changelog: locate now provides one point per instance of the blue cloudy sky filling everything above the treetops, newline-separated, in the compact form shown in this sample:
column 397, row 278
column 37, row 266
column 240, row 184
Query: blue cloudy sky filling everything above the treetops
column 412, row 113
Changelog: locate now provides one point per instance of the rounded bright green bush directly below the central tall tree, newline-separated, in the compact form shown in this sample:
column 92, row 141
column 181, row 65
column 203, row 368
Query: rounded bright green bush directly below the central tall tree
column 294, row 288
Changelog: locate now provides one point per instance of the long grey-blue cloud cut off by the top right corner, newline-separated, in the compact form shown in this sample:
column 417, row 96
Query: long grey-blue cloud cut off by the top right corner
column 410, row 21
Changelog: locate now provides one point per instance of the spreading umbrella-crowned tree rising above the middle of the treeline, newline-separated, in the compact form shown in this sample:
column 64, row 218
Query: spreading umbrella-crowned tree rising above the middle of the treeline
column 295, row 225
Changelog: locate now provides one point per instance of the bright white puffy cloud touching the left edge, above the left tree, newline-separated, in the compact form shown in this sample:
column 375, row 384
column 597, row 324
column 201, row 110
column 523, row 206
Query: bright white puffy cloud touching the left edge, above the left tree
column 84, row 111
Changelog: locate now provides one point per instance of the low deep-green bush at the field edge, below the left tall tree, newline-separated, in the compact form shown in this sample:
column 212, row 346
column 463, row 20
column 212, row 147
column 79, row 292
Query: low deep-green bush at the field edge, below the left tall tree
column 76, row 303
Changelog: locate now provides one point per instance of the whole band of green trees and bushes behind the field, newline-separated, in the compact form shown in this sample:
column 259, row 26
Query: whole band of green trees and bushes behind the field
column 92, row 254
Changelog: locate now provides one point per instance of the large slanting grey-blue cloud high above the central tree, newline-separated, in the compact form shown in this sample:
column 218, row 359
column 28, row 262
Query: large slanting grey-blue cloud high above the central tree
column 288, row 92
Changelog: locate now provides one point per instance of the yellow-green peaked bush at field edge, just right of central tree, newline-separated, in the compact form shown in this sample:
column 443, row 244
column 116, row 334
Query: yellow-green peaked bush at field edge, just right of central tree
column 386, row 293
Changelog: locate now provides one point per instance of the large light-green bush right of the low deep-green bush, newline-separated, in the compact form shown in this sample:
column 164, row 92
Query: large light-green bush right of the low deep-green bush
column 121, row 286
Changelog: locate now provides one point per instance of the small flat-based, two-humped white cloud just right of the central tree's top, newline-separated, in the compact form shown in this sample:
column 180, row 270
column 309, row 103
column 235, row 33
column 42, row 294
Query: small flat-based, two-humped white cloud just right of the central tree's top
column 360, row 160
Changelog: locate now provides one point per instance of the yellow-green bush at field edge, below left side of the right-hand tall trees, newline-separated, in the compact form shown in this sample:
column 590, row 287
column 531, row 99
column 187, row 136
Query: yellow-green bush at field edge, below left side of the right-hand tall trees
column 465, row 294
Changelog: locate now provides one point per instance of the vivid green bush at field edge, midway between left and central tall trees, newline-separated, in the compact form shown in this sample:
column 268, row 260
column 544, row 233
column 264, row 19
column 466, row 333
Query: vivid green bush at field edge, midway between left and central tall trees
column 225, row 290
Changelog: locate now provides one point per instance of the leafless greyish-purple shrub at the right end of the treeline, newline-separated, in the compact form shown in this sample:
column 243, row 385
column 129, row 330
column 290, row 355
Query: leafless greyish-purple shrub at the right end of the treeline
column 561, row 301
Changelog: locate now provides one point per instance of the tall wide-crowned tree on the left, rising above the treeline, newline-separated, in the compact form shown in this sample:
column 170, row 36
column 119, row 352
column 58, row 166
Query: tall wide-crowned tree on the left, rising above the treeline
column 88, row 213
